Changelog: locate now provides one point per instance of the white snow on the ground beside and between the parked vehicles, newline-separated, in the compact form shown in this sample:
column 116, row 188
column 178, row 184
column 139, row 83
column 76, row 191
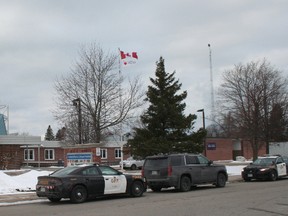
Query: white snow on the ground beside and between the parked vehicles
column 28, row 180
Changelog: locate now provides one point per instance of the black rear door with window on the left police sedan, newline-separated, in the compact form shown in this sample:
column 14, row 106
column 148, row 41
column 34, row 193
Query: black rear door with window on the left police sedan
column 93, row 180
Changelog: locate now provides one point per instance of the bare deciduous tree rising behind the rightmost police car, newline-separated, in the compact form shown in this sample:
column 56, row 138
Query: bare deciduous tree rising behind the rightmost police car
column 249, row 95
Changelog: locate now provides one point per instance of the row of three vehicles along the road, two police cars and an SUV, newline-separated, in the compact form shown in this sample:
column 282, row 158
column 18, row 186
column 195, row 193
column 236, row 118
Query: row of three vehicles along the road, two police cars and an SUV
column 181, row 171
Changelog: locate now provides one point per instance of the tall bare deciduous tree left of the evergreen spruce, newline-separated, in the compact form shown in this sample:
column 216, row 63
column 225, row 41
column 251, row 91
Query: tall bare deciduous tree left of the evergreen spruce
column 102, row 98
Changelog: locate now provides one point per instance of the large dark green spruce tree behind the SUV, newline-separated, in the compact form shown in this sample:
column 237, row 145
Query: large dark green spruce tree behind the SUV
column 165, row 128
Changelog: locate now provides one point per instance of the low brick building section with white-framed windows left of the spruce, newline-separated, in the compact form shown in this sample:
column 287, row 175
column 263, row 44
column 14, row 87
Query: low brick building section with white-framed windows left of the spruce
column 18, row 151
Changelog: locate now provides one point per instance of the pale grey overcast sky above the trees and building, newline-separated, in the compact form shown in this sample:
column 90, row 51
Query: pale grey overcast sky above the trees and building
column 40, row 40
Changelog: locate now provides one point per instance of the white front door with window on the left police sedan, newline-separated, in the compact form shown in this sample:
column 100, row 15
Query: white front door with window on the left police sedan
column 115, row 182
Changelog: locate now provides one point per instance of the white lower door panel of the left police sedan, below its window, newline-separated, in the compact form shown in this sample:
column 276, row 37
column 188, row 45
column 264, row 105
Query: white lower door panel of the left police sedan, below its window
column 115, row 184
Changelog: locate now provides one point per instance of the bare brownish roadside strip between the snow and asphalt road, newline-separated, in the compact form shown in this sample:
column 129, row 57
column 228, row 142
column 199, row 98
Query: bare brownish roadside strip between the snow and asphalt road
column 7, row 199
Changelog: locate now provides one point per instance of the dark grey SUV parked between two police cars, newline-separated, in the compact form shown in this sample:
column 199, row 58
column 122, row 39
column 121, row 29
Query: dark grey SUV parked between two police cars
column 182, row 171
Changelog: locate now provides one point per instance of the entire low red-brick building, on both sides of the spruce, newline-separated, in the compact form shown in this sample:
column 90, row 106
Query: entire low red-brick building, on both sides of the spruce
column 18, row 151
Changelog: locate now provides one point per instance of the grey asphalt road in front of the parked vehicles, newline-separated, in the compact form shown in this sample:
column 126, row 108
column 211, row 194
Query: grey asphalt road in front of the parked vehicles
column 263, row 198
